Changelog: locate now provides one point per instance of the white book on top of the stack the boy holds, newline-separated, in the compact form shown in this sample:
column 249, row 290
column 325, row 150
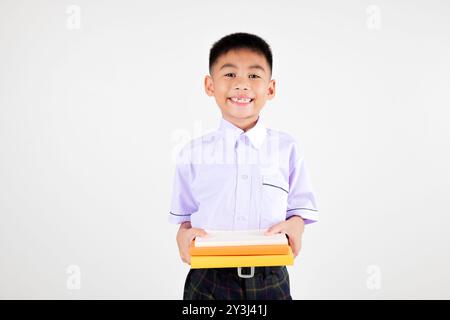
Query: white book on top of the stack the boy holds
column 239, row 238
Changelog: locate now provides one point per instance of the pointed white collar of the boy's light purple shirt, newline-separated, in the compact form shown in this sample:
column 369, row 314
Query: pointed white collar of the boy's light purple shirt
column 256, row 135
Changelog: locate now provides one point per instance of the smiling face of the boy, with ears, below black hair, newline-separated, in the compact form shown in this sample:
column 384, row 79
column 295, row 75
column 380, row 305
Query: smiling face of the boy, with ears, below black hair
column 240, row 82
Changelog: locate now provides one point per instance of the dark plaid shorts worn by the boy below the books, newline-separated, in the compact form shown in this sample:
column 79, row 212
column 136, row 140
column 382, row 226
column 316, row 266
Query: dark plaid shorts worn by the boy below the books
column 268, row 283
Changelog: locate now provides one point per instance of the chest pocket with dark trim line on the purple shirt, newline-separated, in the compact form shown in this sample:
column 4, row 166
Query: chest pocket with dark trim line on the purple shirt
column 274, row 195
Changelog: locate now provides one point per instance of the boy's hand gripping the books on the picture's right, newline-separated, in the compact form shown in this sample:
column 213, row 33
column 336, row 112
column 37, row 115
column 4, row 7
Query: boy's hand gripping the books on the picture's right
column 293, row 228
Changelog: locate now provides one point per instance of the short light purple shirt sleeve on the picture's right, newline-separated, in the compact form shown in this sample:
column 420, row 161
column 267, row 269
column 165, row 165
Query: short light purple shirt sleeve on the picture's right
column 301, row 198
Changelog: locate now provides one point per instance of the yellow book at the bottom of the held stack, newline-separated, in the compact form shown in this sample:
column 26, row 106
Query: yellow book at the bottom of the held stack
column 202, row 262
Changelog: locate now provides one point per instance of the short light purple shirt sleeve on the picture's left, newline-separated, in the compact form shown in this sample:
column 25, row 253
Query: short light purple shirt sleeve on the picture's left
column 183, row 203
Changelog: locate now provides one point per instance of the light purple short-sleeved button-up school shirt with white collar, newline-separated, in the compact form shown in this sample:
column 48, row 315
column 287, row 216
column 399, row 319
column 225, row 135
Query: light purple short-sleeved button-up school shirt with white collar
column 235, row 180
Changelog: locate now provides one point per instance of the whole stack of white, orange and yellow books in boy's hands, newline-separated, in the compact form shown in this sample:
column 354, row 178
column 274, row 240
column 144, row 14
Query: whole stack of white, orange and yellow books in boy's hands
column 226, row 249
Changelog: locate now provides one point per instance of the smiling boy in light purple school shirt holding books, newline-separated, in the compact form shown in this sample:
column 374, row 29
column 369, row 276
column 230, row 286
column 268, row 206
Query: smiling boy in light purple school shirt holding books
column 242, row 176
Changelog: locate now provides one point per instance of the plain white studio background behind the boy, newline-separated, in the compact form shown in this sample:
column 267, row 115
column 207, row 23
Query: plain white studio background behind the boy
column 90, row 119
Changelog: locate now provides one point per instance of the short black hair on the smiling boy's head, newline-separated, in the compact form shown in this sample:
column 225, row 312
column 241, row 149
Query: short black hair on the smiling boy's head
column 237, row 41
